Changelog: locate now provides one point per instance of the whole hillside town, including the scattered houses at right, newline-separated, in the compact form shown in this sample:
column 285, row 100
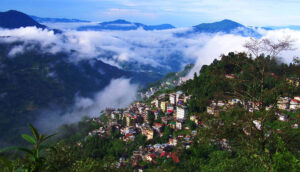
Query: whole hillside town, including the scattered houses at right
column 170, row 111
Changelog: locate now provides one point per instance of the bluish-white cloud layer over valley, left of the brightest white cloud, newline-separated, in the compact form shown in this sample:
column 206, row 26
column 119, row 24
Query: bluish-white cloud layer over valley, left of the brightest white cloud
column 146, row 47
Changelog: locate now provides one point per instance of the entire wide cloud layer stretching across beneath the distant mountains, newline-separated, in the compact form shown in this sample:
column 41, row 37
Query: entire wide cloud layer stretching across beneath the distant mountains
column 154, row 48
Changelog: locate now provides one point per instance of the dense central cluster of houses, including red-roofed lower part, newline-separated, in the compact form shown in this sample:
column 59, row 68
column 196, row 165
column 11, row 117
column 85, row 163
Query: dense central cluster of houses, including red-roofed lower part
column 141, row 118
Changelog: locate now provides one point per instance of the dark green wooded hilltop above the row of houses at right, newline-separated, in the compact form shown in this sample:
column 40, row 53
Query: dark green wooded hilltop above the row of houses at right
column 262, row 80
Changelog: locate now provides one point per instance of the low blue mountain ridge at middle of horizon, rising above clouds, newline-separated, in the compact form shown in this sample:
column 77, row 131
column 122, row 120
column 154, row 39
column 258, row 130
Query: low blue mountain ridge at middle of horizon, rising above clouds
column 124, row 25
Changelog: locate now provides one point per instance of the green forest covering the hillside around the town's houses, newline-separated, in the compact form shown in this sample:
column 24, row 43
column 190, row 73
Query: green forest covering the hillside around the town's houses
column 274, row 146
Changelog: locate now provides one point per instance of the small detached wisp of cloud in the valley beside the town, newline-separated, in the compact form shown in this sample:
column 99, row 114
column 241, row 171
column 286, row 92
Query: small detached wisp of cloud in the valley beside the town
column 120, row 93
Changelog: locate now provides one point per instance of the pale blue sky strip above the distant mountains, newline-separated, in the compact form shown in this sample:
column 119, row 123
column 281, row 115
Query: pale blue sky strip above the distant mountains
column 176, row 12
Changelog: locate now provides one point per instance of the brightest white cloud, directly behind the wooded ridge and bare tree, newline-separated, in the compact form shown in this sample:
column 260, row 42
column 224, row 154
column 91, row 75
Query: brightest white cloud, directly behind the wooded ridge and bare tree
column 223, row 44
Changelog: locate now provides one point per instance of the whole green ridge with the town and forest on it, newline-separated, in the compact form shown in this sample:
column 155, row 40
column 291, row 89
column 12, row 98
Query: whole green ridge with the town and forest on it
column 248, row 131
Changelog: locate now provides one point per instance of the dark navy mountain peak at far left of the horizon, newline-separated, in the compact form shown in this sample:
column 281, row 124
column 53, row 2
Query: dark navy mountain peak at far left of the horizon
column 14, row 19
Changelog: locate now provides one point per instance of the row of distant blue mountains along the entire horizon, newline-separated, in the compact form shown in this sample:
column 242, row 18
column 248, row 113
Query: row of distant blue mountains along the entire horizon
column 14, row 19
